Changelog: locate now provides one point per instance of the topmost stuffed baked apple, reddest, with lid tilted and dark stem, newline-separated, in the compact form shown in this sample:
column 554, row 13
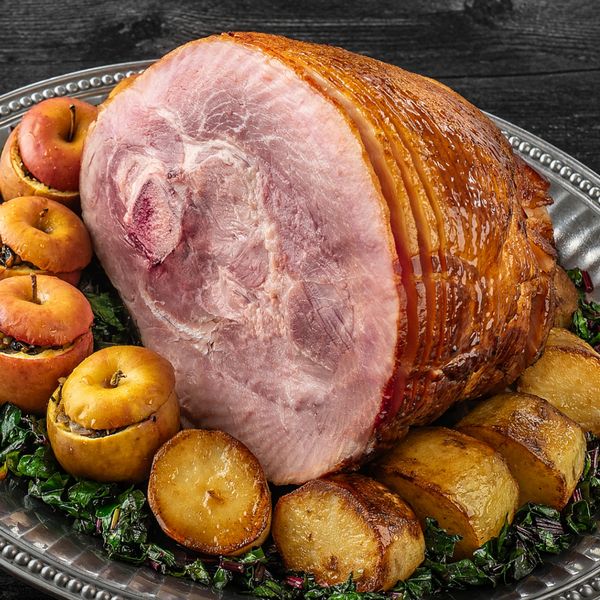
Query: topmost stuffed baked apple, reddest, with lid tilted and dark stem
column 42, row 155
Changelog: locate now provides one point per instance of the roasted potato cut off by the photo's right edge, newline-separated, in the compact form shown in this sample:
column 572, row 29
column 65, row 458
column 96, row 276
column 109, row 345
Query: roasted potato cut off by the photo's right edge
column 568, row 376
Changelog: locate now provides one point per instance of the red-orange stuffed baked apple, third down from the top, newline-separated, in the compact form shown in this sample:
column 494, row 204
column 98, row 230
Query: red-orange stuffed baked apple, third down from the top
column 44, row 334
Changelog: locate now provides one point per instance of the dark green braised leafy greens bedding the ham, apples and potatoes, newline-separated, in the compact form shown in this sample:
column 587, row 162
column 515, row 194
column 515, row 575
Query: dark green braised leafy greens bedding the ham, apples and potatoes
column 119, row 514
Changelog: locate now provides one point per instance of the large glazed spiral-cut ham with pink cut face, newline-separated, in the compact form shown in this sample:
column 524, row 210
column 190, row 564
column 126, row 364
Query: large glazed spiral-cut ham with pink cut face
column 327, row 248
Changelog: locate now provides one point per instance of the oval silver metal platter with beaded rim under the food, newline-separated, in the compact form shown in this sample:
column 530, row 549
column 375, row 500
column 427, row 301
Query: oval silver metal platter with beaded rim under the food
column 38, row 545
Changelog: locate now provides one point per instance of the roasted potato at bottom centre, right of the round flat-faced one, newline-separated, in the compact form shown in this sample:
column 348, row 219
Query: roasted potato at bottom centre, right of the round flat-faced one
column 348, row 524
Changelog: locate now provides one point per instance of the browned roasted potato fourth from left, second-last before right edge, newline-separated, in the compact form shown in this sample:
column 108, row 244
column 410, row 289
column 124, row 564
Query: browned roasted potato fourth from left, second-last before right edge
column 544, row 449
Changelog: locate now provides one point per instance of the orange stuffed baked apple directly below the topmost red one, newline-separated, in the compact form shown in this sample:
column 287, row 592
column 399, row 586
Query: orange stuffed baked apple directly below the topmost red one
column 41, row 236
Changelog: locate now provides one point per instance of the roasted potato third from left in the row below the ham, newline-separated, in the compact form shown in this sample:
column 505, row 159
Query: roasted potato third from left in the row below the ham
column 458, row 480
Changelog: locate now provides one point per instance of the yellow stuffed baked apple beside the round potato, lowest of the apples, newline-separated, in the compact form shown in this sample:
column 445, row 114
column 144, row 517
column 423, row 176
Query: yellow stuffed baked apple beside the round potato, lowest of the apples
column 113, row 413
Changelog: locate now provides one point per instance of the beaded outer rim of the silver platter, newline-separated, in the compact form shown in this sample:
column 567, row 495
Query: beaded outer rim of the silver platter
column 24, row 560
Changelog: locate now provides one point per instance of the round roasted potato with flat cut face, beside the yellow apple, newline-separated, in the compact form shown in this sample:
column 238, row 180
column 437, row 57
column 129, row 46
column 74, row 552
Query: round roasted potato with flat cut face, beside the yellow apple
column 209, row 493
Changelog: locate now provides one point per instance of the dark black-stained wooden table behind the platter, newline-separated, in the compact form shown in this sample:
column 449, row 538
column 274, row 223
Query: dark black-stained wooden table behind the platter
column 533, row 62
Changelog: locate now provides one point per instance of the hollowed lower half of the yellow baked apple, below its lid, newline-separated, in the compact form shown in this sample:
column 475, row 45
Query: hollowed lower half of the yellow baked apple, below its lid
column 123, row 456
